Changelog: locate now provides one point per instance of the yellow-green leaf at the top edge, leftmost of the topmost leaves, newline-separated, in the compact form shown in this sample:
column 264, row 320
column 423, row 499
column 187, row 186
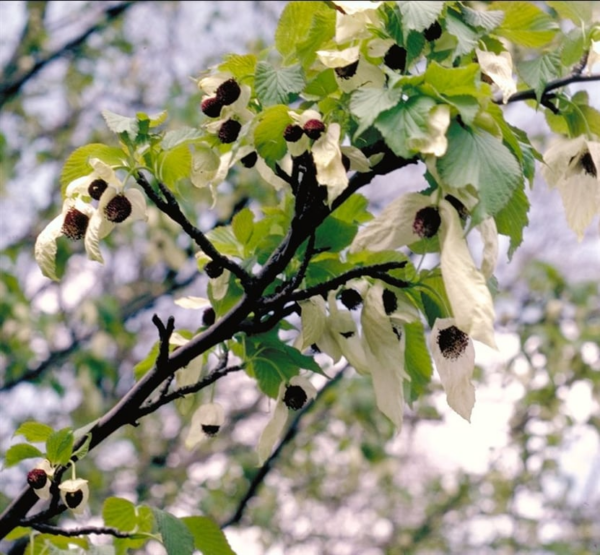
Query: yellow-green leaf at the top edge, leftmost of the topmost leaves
column 295, row 25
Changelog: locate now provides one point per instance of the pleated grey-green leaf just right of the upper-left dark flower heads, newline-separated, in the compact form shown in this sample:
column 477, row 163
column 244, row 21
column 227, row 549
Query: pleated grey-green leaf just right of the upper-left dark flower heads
column 275, row 86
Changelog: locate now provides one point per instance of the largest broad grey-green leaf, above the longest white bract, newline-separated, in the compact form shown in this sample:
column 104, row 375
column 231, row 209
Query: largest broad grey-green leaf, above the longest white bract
column 475, row 157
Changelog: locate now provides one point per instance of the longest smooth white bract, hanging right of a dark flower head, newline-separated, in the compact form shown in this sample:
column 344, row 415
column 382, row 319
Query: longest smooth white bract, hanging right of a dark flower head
column 468, row 293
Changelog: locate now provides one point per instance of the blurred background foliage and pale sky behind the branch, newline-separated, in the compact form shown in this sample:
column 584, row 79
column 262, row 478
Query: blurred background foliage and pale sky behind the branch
column 343, row 484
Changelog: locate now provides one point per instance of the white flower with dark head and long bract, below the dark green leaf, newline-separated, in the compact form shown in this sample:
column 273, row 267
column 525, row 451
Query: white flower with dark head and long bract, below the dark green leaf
column 292, row 396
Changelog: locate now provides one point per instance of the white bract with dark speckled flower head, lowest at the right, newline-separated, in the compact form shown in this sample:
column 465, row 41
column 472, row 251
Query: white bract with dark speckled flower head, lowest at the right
column 454, row 358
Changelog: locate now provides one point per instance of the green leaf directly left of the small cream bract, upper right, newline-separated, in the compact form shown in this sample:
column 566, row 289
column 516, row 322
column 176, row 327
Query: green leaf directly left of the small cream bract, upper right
column 407, row 120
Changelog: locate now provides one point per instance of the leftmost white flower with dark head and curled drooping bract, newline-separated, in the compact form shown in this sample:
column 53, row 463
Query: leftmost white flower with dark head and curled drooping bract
column 73, row 223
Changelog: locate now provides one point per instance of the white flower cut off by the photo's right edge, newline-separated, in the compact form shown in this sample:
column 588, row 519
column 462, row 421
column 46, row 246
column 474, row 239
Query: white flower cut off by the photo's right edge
column 573, row 166
